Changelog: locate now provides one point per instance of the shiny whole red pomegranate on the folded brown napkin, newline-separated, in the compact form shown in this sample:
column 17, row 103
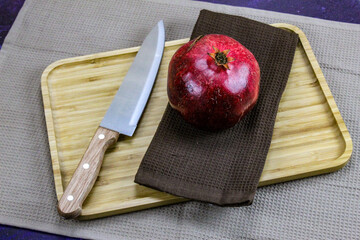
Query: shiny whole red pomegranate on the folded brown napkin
column 213, row 81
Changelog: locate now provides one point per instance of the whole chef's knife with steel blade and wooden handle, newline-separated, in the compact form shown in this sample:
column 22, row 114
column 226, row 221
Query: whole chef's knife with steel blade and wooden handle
column 121, row 118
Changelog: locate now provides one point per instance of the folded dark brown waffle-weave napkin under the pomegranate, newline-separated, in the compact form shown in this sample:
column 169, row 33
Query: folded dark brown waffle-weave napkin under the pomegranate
column 223, row 167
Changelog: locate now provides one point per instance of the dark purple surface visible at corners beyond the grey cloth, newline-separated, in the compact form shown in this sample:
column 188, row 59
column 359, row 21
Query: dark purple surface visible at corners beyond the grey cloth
column 344, row 11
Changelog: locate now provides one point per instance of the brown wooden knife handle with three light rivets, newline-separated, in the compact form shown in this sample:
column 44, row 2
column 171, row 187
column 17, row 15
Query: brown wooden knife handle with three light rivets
column 83, row 179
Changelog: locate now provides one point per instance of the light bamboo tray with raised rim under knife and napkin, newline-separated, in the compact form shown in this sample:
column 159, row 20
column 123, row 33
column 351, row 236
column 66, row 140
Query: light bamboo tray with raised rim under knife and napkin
column 309, row 138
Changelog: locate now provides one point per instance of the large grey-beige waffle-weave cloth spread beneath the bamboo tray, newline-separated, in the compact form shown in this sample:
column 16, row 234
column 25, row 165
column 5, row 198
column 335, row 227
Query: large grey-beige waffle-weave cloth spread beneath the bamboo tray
column 322, row 207
